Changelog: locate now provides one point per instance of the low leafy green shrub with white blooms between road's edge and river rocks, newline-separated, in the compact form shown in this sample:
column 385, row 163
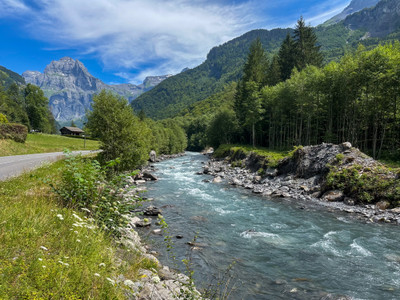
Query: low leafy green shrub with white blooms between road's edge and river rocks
column 84, row 186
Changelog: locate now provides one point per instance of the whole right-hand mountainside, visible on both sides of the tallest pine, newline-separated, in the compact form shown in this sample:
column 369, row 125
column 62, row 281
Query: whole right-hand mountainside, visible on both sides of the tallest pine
column 224, row 63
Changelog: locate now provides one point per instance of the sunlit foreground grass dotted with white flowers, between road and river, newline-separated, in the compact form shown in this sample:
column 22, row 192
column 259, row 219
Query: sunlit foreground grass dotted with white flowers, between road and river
column 51, row 252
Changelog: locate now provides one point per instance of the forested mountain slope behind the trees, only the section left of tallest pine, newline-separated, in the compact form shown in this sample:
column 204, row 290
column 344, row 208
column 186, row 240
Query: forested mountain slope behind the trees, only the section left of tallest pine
column 222, row 66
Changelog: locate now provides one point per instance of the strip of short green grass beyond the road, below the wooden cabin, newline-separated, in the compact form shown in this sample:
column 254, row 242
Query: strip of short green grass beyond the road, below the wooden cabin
column 41, row 143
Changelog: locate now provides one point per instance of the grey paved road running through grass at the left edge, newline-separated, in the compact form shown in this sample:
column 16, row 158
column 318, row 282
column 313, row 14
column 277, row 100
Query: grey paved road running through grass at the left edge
column 11, row 166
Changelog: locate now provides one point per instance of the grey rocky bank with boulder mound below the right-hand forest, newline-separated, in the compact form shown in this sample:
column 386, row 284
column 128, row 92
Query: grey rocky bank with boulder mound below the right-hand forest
column 302, row 177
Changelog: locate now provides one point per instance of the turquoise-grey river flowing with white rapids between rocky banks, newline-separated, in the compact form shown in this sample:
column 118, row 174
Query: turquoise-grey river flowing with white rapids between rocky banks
column 281, row 251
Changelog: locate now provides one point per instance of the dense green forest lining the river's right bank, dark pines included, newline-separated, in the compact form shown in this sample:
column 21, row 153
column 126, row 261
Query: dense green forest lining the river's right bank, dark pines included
column 292, row 99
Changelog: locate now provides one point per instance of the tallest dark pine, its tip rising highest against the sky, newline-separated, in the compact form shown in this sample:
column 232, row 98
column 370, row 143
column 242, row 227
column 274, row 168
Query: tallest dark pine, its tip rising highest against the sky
column 306, row 48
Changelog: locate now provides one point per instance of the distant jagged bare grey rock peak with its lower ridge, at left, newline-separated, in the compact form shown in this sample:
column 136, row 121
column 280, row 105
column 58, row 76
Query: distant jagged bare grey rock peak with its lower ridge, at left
column 70, row 87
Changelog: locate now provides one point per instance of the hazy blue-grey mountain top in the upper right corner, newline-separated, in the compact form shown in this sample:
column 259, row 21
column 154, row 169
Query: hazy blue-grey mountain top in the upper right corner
column 378, row 21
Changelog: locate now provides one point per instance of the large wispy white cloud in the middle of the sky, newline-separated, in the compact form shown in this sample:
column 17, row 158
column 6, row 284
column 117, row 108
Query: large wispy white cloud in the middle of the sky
column 153, row 35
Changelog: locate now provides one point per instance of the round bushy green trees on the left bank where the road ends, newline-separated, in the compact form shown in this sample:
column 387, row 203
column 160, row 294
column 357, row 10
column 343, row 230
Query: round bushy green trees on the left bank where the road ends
column 129, row 137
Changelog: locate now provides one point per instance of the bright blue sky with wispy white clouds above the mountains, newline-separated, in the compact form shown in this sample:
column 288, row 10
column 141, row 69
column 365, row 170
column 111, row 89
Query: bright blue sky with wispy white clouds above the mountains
column 122, row 41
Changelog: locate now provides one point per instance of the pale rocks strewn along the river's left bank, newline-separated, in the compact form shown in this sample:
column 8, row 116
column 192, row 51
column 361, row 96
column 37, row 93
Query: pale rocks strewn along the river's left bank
column 160, row 283
